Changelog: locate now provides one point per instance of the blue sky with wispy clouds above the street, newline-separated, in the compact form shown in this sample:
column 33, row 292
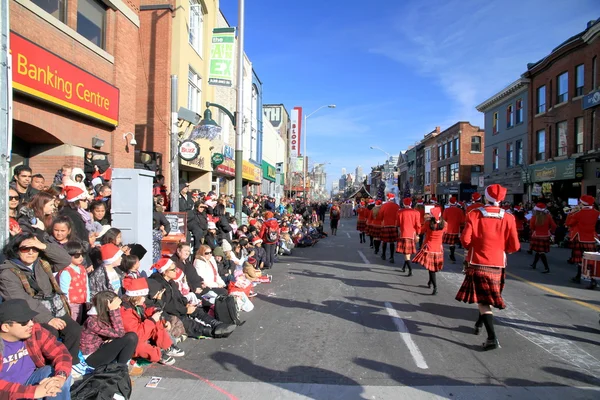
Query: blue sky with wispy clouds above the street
column 396, row 69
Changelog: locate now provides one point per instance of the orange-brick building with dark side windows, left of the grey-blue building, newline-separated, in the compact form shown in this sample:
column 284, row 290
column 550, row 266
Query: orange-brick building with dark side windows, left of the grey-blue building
column 458, row 152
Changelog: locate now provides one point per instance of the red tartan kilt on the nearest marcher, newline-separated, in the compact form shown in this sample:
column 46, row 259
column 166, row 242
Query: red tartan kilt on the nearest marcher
column 483, row 285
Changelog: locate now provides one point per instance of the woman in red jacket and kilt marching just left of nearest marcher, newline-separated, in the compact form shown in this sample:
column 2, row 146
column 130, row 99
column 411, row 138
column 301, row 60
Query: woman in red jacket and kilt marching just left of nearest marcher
column 431, row 256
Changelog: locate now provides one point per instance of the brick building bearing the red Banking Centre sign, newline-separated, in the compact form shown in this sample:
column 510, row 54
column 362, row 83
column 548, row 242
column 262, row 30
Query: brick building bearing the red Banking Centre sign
column 74, row 82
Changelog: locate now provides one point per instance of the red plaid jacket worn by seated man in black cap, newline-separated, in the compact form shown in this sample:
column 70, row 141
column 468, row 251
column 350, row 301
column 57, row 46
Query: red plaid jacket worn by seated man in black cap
column 44, row 349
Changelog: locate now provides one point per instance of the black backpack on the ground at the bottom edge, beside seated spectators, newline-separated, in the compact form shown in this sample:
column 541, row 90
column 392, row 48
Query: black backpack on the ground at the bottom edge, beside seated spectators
column 103, row 383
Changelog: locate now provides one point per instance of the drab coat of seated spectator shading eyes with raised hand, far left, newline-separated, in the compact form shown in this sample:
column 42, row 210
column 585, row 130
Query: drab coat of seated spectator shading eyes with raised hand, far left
column 12, row 288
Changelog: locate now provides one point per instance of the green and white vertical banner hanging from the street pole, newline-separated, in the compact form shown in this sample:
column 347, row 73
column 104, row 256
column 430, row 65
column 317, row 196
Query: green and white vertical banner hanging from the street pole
column 221, row 57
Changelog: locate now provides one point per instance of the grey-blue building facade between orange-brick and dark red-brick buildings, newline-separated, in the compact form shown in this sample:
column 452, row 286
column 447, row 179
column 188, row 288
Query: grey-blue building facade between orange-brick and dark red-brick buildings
column 506, row 139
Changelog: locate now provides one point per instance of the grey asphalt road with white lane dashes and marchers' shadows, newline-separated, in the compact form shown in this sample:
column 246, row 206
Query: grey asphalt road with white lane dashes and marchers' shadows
column 337, row 322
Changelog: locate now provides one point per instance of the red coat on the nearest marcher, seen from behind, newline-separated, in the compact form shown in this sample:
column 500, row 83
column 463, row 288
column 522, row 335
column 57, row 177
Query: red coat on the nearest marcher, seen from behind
column 489, row 239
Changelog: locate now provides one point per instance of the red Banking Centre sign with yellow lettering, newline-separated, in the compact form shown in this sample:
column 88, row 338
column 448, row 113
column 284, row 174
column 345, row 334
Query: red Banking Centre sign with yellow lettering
column 42, row 74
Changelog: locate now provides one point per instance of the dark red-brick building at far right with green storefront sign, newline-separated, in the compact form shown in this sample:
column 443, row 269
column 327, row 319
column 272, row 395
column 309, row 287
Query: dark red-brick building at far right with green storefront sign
column 563, row 123
